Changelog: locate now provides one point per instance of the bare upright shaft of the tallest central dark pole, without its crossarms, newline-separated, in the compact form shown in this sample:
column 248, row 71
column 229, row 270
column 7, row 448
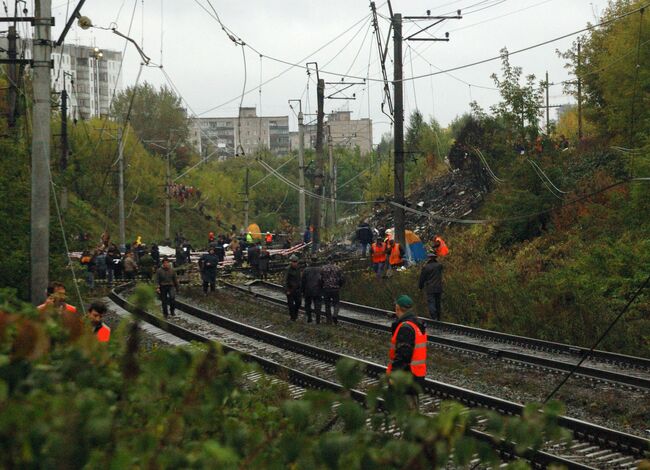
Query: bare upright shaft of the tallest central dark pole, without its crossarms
column 398, row 139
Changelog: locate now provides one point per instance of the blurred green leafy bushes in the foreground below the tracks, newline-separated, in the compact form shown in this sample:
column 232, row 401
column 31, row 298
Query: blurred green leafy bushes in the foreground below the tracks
column 67, row 401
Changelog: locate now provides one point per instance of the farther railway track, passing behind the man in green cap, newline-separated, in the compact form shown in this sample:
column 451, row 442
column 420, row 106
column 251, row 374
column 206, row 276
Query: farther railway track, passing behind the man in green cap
column 627, row 371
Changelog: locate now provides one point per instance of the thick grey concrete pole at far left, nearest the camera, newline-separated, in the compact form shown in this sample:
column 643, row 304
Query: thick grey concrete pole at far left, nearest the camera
column 41, row 132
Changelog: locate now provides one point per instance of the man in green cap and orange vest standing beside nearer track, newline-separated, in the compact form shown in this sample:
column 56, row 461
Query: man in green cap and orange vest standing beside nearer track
column 408, row 346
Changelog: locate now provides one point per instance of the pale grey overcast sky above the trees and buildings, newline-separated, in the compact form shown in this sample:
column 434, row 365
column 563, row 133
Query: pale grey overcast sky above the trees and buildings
column 207, row 67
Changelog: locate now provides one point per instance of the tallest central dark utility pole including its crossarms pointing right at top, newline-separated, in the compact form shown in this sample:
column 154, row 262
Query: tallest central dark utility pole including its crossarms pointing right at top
column 398, row 112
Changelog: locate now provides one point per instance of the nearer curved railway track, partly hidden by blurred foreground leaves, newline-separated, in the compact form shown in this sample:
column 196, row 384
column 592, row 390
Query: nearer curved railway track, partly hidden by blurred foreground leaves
column 595, row 446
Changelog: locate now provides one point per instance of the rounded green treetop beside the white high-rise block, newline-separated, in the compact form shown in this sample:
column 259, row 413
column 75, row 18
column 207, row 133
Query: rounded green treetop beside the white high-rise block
column 155, row 115
